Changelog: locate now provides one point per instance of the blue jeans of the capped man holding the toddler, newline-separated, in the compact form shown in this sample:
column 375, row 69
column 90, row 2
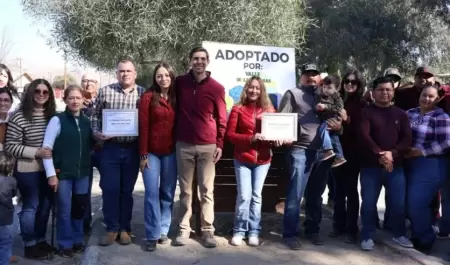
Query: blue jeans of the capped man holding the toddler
column 300, row 162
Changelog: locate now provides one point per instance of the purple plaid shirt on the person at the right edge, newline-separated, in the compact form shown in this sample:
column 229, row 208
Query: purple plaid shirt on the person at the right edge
column 431, row 132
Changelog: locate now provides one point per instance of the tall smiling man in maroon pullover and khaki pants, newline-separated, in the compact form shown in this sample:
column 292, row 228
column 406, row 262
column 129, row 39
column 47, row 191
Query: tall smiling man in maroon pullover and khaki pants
column 200, row 129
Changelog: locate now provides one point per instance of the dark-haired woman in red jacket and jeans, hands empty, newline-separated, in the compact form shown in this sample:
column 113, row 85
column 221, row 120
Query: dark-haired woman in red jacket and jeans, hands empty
column 157, row 151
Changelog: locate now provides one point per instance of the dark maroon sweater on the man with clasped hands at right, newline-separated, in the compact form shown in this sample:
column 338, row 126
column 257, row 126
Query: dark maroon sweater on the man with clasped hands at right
column 383, row 129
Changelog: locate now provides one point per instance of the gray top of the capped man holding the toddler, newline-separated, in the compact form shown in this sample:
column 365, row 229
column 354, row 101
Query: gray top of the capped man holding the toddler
column 302, row 100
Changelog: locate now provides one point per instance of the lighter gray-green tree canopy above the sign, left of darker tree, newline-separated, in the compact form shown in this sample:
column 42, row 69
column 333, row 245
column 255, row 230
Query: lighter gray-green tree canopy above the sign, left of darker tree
column 101, row 31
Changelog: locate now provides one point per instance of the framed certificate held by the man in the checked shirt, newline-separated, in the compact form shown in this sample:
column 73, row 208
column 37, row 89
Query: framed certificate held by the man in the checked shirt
column 120, row 122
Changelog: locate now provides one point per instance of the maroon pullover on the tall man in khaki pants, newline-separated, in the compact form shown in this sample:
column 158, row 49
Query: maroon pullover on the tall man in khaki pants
column 201, row 111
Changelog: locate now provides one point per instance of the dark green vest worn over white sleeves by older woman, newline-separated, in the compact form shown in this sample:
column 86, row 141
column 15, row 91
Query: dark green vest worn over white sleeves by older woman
column 72, row 149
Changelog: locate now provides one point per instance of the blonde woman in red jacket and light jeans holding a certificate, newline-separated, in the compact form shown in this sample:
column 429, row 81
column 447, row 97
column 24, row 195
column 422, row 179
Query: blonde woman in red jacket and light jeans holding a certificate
column 252, row 156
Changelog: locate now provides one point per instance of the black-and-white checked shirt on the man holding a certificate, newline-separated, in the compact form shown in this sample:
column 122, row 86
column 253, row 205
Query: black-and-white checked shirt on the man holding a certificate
column 113, row 97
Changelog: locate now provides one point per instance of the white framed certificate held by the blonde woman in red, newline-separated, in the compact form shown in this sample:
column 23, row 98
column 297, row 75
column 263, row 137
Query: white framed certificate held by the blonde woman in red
column 279, row 126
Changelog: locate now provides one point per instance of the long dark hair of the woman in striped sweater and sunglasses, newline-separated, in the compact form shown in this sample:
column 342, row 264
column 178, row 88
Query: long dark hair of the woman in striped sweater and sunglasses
column 27, row 106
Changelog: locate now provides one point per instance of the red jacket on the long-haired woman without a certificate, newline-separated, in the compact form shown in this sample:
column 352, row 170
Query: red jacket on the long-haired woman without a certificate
column 156, row 126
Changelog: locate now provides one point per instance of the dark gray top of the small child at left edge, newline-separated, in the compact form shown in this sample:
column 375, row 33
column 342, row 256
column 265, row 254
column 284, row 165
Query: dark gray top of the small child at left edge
column 8, row 189
